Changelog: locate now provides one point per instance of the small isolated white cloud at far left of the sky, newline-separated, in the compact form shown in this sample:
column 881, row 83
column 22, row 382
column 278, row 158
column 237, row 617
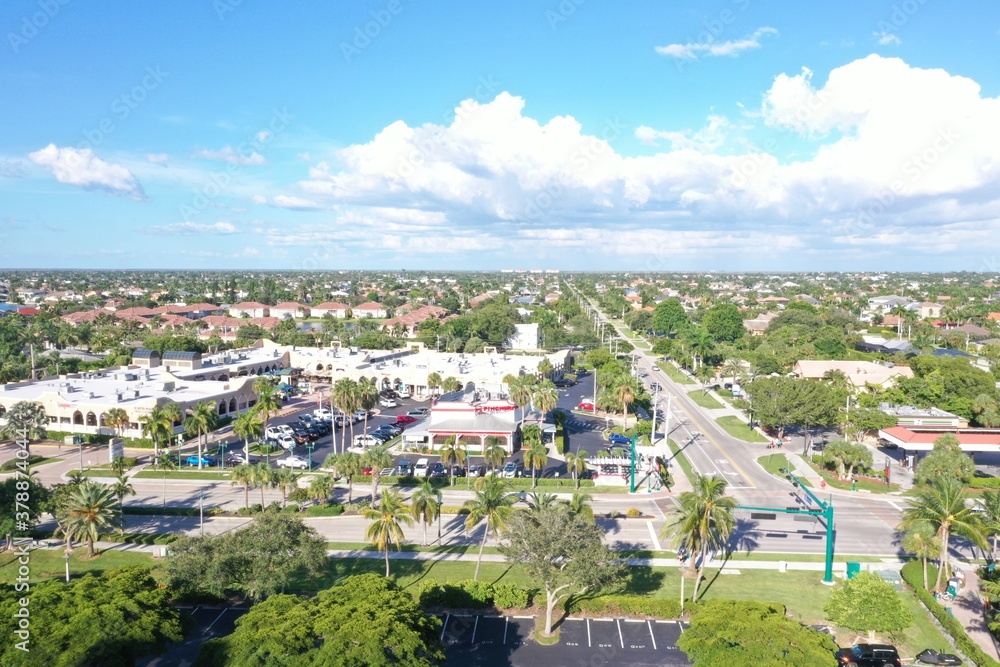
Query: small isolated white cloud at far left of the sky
column 82, row 168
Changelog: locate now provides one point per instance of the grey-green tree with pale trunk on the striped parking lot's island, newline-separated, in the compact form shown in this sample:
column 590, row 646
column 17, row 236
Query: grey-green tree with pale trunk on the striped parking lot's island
column 563, row 552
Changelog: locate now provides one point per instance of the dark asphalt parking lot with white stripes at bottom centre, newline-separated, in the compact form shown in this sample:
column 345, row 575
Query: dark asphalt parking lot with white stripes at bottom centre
column 503, row 640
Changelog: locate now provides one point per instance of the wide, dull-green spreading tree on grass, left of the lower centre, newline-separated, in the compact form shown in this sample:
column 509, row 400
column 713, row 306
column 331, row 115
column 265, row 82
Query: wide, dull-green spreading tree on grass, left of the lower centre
column 255, row 562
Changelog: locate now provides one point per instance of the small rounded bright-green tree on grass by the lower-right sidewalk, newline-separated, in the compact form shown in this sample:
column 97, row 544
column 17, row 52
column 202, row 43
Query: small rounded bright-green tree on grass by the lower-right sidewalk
column 868, row 603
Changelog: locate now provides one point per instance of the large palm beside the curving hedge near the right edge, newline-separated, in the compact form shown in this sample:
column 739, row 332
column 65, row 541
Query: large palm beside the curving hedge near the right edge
column 942, row 505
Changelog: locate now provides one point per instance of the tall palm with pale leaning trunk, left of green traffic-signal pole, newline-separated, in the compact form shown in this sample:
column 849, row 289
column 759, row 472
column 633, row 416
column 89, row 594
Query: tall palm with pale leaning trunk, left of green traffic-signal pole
column 704, row 521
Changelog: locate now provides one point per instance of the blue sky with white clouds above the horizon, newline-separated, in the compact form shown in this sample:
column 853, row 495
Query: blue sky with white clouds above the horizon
column 729, row 135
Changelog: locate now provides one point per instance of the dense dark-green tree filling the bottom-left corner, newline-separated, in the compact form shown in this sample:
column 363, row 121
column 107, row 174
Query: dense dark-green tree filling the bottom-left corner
column 84, row 623
